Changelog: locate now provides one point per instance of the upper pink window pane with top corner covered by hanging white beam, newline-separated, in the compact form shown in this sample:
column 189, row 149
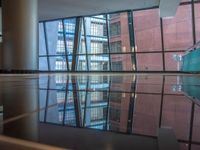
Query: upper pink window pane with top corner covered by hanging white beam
column 178, row 30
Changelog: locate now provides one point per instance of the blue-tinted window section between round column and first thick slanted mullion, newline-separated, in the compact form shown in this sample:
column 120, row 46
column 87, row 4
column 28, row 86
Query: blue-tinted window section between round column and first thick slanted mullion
column 56, row 40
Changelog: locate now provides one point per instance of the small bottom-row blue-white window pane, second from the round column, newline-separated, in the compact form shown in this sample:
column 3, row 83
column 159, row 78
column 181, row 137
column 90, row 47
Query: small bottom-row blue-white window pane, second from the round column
column 58, row 63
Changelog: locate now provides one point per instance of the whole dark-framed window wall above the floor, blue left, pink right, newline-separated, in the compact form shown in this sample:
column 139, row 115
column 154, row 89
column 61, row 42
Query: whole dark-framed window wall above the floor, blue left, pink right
column 122, row 41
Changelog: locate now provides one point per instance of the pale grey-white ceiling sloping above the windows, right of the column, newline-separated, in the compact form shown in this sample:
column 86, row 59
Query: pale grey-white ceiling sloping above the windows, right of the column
column 53, row 9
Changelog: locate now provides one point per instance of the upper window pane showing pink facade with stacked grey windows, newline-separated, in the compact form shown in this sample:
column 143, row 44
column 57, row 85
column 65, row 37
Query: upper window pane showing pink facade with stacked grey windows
column 119, row 33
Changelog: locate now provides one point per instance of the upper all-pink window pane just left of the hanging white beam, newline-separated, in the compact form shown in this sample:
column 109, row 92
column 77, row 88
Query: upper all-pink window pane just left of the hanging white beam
column 147, row 30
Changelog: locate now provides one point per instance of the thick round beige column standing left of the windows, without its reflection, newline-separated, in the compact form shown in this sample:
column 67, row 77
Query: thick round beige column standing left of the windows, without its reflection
column 20, row 35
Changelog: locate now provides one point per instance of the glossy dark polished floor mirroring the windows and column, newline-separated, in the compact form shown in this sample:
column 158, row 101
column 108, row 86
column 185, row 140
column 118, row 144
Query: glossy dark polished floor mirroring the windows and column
column 101, row 111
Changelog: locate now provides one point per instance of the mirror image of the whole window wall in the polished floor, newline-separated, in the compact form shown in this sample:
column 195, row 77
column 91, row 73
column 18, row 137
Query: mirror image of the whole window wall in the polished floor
column 130, row 104
